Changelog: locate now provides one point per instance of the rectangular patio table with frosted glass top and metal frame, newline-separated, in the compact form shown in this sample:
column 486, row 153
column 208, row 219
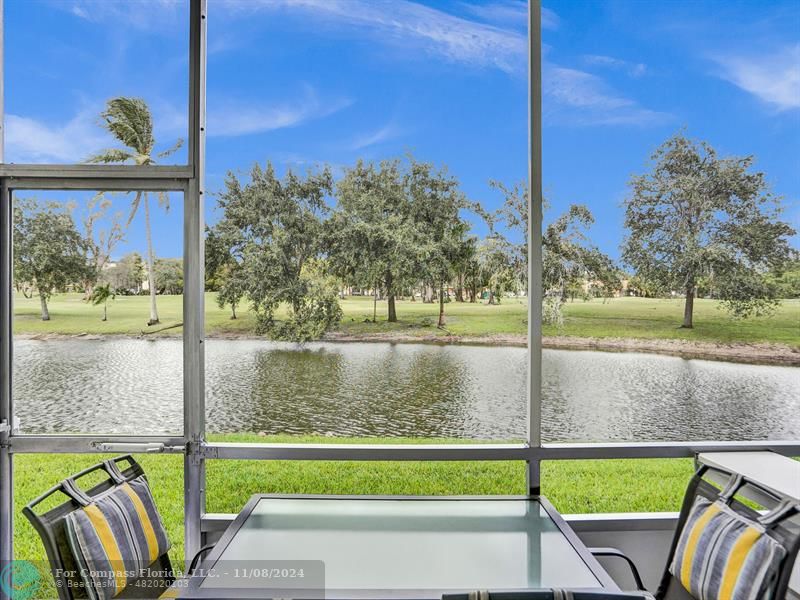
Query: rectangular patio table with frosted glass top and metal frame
column 392, row 547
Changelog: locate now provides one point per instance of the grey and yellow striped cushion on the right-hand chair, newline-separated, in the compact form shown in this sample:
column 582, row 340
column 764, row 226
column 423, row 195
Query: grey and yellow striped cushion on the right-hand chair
column 722, row 555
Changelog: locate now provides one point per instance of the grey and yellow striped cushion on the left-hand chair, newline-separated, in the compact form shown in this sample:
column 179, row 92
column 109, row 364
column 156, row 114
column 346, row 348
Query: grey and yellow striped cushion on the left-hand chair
column 115, row 537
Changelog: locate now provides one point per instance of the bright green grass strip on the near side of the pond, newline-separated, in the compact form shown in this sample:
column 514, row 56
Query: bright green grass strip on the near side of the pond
column 573, row 486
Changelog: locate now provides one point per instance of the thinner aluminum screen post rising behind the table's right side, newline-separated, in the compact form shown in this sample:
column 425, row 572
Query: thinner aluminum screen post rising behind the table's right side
column 535, row 245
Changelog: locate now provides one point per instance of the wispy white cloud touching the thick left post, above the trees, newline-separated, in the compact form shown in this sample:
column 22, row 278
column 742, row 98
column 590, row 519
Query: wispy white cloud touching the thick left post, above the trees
column 231, row 118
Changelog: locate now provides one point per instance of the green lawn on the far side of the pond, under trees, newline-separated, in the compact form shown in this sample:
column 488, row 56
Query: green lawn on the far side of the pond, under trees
column 615, row 318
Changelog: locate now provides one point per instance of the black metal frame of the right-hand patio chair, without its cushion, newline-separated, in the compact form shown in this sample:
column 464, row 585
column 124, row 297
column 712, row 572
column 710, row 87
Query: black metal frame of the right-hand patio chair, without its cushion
column 700, row 487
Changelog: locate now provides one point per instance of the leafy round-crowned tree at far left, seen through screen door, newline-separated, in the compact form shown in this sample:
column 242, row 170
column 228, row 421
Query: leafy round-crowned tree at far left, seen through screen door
column 49, row 252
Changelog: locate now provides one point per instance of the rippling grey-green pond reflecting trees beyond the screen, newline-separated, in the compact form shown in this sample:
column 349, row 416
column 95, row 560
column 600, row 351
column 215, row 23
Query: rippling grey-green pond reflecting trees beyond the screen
column 414, row 390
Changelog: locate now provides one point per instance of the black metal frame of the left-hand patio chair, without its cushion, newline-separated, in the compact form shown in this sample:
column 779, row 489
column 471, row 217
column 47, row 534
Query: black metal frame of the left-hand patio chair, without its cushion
column 51, row 528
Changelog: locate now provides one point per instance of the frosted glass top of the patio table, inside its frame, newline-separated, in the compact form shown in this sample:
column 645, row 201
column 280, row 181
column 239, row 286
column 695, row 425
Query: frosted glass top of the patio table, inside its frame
column 411, row 544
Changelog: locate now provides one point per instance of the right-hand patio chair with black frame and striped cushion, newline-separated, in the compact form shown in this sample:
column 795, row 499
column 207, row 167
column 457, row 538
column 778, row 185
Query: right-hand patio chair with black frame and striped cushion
column 770, row 540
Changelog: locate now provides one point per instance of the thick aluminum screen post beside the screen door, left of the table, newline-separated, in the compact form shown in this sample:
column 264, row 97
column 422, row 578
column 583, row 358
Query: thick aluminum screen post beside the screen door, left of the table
column 194, row 406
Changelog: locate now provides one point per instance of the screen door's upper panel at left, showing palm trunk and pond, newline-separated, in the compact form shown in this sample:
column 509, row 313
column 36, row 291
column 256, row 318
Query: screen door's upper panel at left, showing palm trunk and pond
column 87, row 378
